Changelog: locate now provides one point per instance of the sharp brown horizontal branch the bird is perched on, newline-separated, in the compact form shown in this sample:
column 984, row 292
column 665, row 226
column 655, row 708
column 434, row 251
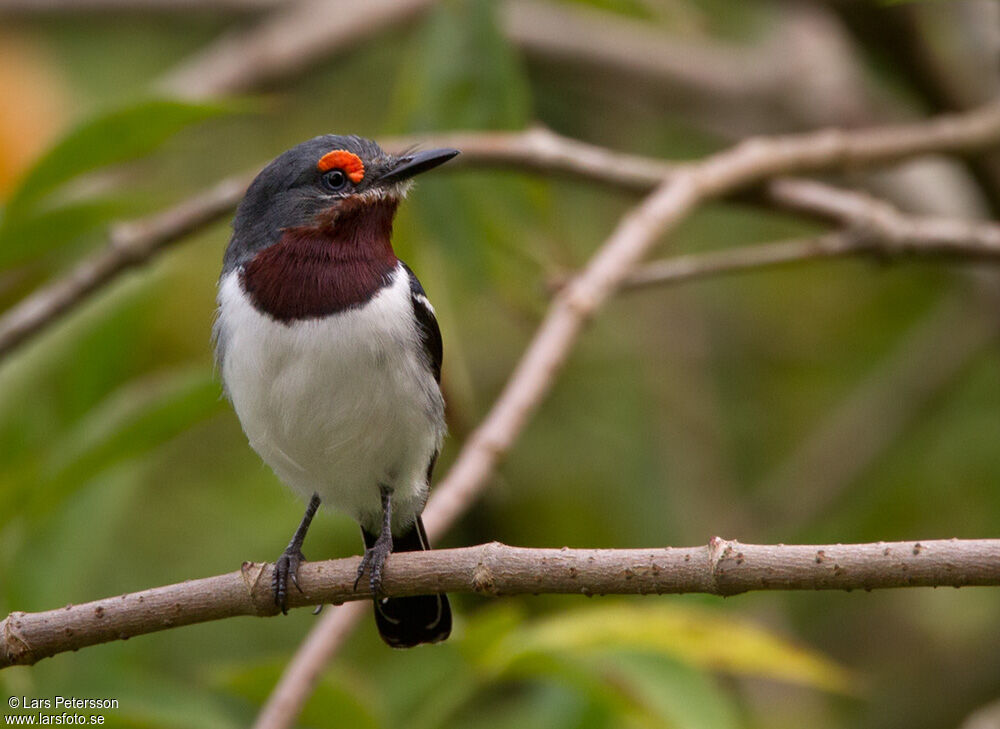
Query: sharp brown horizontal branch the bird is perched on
column 720, row 568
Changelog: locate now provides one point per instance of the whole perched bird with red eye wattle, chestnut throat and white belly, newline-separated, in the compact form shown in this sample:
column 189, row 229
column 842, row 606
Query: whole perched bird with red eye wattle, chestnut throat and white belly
column 331, row 355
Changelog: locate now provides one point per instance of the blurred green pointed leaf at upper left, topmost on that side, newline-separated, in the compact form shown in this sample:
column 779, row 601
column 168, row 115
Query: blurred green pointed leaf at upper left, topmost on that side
column 118, row 136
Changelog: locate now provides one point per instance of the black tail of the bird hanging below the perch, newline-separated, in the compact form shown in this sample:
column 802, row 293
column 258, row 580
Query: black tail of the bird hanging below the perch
column 404, row 622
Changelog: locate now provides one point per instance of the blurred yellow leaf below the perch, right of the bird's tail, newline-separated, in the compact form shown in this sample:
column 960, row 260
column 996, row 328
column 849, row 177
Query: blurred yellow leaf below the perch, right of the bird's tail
column 700, row 638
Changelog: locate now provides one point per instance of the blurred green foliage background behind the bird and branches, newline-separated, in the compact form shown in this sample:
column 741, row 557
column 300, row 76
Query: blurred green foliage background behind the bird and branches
column 684, row 412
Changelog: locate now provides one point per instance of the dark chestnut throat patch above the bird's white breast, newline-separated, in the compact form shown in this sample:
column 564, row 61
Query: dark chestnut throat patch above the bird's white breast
column 338, row 264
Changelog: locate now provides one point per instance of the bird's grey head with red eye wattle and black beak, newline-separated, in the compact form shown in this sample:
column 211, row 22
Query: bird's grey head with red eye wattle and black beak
column 341, row 188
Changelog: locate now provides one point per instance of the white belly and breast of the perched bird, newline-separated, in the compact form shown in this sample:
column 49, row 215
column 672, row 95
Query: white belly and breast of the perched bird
column 337, row 406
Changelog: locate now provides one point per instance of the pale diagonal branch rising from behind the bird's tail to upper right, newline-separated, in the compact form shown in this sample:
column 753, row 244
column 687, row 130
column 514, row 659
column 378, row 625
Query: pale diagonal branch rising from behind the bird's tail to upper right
column 687, row 187
